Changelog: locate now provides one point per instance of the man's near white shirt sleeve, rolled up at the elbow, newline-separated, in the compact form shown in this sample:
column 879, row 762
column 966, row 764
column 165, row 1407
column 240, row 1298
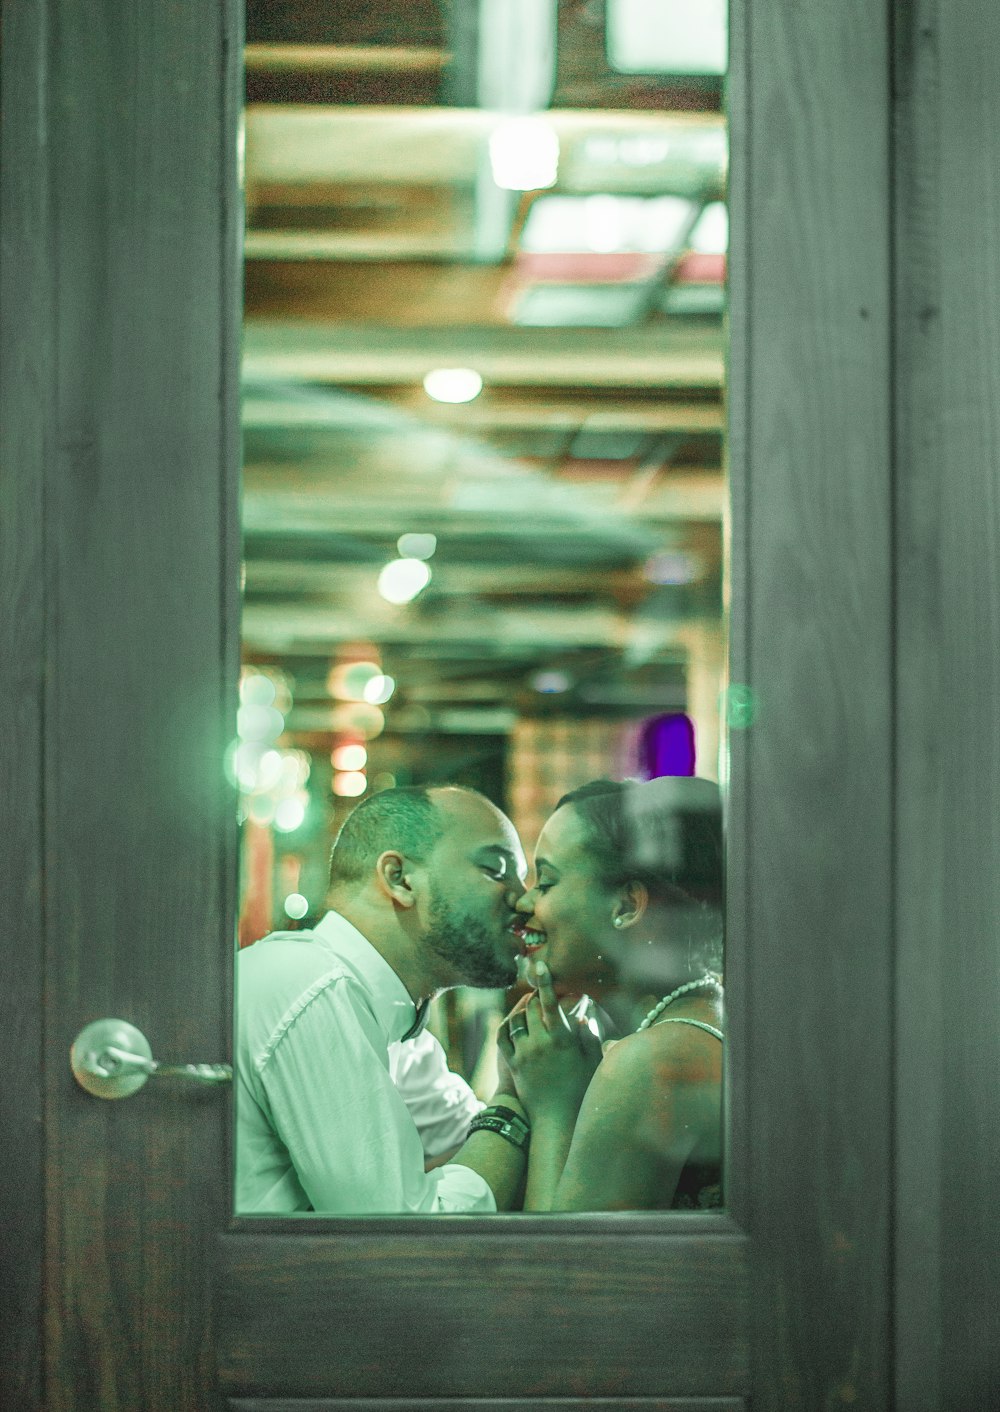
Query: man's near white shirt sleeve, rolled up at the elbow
column 348, row 1133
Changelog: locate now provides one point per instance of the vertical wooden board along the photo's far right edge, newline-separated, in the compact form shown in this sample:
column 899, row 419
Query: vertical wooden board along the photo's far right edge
column 948, row 745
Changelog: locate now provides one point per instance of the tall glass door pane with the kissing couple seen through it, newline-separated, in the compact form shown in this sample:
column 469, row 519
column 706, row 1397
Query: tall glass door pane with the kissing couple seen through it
column 484, row 499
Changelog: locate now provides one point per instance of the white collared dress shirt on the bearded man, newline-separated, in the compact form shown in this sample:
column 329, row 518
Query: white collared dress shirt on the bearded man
column 320, row 1123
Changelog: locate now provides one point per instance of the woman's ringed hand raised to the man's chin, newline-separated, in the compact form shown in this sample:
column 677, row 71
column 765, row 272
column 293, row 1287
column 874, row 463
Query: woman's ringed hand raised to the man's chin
column 550, row 1057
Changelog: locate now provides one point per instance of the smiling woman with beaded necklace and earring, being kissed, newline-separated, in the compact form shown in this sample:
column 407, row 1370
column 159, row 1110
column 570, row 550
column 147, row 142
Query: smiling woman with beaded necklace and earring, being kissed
column 628, row 890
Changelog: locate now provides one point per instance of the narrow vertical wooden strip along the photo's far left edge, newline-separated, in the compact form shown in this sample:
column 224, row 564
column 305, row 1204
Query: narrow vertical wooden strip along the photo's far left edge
column 26, row 365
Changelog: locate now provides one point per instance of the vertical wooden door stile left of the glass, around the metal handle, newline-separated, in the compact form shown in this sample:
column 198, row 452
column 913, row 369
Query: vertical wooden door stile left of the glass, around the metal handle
column 141, row 523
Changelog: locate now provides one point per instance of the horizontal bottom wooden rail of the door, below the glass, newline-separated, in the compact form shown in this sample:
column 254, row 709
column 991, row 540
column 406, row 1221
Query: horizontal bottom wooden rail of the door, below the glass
column 499, row 1308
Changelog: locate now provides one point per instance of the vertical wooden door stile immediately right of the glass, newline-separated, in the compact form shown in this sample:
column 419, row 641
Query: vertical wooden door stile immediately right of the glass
column 810, row 900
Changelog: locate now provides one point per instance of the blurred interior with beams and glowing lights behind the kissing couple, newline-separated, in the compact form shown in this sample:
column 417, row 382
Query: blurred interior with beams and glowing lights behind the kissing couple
column 484, row 491
